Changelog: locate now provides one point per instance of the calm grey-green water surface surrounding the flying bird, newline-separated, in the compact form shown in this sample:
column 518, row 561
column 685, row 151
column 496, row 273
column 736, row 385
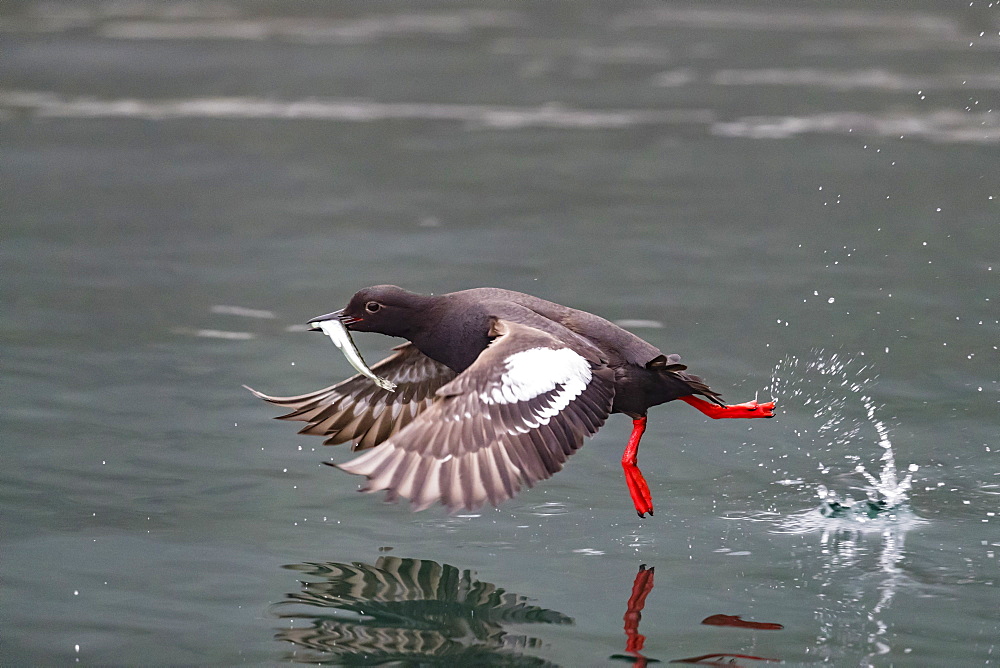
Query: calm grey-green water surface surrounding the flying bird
column 757, row 188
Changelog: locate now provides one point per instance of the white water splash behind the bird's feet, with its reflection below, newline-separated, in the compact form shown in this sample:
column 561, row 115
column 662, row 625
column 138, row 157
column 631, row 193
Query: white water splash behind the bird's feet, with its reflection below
column 862, row 525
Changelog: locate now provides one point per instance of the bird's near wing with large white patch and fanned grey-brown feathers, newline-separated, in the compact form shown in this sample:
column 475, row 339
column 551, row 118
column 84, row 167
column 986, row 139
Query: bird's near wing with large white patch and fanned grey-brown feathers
column 509, row 420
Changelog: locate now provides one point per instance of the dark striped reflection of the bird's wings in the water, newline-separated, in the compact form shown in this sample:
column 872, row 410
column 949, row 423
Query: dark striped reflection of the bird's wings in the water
column 407, row 611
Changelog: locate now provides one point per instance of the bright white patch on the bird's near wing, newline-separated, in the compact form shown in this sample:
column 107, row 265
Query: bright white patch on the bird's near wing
column 536, row 371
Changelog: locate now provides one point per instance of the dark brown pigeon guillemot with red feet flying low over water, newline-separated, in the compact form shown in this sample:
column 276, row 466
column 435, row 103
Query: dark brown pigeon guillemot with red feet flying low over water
column 494, row 390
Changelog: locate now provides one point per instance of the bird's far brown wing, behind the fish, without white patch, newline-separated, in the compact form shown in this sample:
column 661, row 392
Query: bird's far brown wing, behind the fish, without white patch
column 359, row 410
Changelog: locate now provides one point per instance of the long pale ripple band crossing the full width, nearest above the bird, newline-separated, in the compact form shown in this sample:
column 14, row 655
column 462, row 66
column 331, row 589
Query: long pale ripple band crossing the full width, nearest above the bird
column 939, row 126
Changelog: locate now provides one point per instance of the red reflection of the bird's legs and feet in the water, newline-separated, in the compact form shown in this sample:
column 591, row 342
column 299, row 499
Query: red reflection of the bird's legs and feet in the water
column 634, row 641
